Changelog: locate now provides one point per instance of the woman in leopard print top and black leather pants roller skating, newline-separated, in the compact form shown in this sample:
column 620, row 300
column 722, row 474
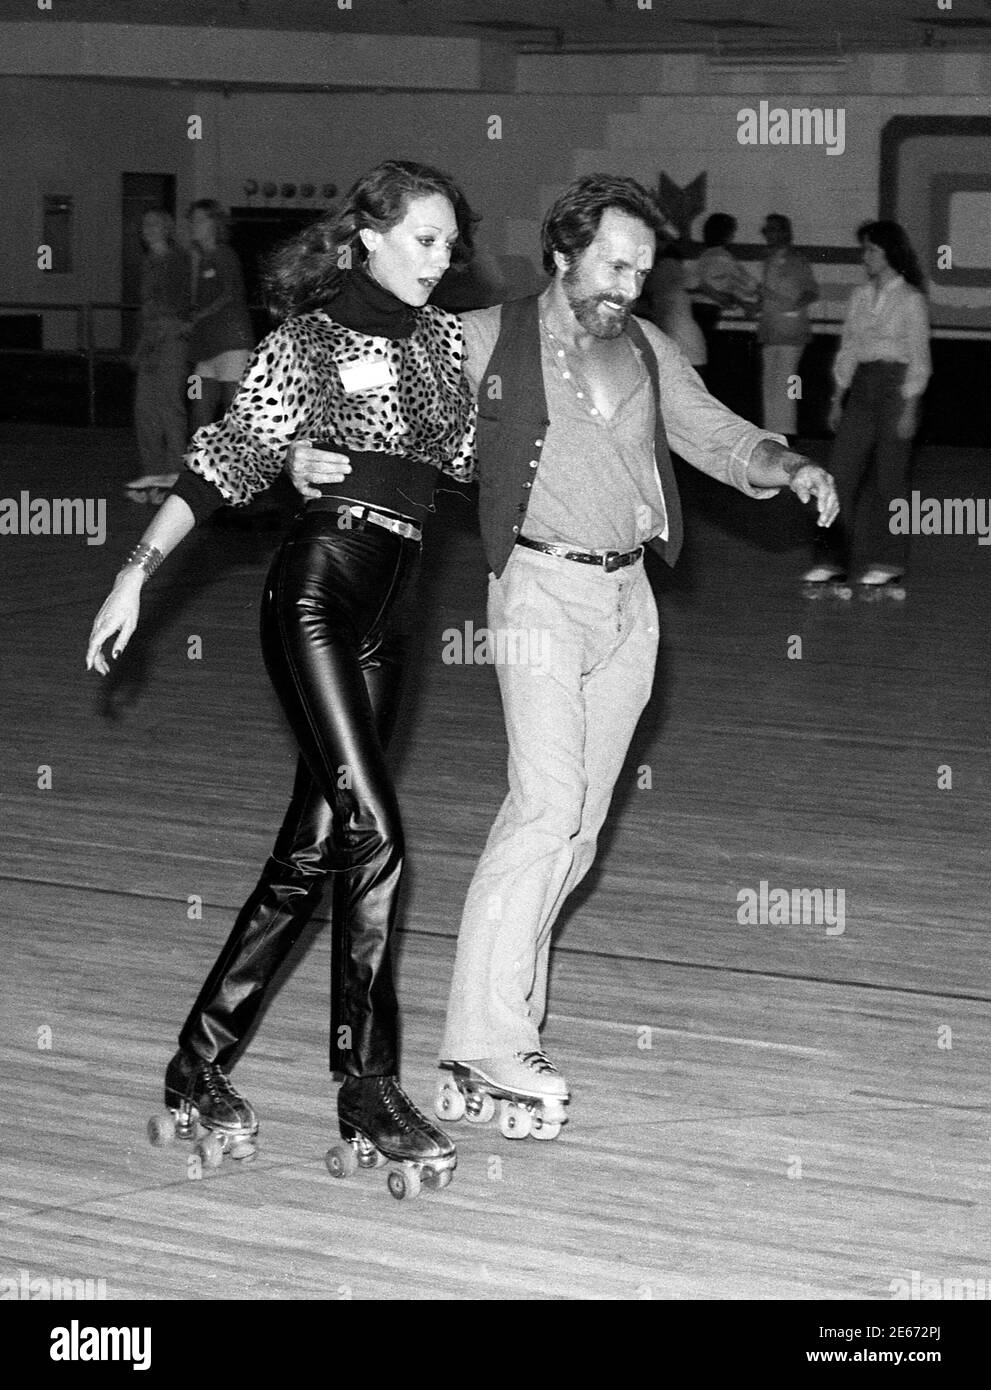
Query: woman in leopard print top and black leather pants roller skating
column 366, row 369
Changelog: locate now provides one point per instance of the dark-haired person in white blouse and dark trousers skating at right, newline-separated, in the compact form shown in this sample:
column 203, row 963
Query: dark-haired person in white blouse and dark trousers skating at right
column 882, row 370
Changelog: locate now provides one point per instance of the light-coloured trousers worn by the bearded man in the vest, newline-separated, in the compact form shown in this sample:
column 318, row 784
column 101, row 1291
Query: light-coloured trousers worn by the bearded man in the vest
column 590, row 641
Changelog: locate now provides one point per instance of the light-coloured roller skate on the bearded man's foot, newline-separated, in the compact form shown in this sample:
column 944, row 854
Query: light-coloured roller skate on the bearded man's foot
column 530, row 1092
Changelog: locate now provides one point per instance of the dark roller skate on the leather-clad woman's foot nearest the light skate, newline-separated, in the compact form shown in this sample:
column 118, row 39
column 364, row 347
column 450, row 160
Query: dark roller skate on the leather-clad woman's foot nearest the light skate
column 382, row 1125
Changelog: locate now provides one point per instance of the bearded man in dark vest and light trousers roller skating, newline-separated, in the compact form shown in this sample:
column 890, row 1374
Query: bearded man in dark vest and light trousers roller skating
column 578, row 401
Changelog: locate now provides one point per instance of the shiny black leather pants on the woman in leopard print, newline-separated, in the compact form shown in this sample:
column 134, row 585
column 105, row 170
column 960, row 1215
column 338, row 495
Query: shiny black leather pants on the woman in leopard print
column 333, row 636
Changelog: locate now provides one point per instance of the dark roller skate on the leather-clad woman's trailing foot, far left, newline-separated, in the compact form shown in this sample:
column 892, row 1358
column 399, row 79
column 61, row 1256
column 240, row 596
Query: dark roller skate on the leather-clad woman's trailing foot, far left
column 202, row 1106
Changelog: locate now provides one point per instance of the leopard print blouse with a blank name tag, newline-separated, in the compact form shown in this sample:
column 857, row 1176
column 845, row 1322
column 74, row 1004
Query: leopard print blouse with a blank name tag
column 293, row 389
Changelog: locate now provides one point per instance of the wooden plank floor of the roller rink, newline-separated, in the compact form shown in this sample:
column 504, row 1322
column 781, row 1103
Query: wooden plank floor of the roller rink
column 760, row 1111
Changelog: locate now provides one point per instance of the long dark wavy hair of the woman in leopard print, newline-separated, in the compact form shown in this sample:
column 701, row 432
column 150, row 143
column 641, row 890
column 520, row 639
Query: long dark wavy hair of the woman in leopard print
column 306, row 272
